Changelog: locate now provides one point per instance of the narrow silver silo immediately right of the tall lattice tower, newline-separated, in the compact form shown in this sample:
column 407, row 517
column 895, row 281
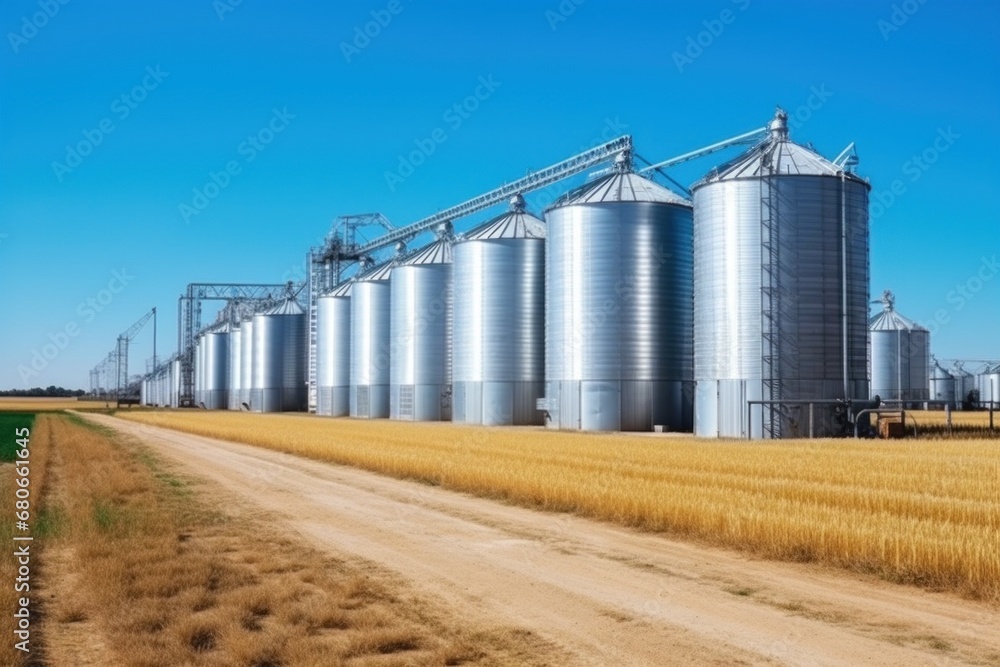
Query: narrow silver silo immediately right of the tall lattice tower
column 333, row 352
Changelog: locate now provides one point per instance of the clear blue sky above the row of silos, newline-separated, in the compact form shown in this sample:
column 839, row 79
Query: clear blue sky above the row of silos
column 310, row 129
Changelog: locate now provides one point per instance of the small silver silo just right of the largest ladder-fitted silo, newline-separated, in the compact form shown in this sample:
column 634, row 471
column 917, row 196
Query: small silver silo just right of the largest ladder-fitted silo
column 900, row 355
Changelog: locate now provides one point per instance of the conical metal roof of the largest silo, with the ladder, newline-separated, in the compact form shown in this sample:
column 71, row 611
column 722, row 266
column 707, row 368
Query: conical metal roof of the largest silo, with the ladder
column 776, row 156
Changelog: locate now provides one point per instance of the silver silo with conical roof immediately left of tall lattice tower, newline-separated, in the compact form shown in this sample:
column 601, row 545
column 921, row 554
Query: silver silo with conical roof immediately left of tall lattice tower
column 279, row 359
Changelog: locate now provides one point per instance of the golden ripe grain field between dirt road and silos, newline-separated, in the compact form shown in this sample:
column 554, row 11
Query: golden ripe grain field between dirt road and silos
column 924, row 512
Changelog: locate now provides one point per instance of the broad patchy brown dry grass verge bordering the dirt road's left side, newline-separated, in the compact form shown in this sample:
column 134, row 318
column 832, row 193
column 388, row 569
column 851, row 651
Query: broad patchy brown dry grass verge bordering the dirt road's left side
column 144, row 573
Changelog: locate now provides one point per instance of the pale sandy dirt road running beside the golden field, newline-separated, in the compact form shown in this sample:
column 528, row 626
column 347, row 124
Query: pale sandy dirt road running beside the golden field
column 608, row 595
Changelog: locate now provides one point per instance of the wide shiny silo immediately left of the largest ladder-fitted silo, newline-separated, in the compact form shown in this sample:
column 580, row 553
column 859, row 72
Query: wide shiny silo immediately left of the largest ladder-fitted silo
column 618, row 307
